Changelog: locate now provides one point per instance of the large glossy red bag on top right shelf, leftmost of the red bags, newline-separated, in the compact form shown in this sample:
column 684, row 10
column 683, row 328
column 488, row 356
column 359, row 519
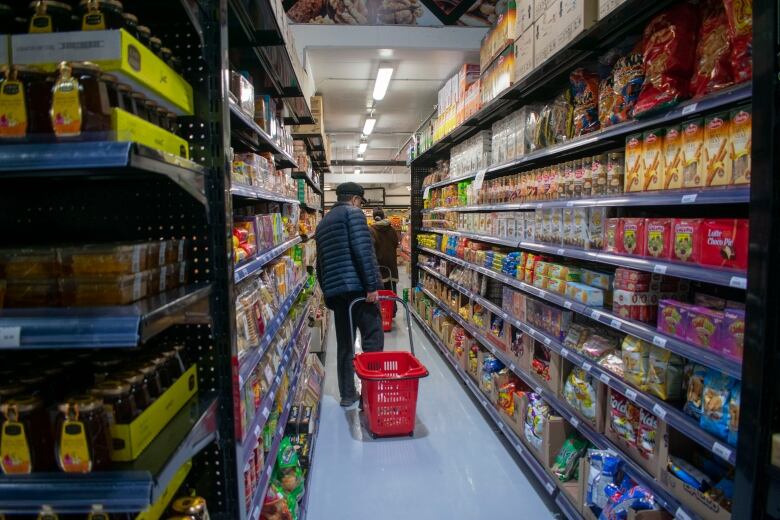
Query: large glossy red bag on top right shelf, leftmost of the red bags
column 669, row 52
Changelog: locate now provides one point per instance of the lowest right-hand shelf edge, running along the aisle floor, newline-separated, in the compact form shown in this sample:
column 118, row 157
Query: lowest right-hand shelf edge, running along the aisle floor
column 544, row 478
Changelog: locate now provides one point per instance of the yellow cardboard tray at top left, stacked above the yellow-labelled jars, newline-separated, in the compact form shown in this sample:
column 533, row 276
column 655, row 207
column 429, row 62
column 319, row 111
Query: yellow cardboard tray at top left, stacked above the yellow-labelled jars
column 116, row 51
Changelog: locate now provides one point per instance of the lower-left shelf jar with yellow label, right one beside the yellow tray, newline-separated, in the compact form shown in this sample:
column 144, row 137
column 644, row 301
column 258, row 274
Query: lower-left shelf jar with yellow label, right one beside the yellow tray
column 83, row 436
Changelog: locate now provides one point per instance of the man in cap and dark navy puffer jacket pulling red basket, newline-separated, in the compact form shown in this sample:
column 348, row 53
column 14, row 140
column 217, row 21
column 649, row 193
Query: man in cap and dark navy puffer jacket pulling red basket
column 347, row 269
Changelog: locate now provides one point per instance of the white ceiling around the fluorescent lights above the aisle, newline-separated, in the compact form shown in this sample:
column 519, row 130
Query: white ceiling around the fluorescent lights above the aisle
column 345, row 78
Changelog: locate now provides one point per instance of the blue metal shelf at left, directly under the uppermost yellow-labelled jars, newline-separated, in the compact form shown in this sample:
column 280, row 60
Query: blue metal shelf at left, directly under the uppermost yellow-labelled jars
column 104, row 160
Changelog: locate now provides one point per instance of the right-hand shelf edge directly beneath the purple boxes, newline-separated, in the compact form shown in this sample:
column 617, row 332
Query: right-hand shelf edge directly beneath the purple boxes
column 637, row 329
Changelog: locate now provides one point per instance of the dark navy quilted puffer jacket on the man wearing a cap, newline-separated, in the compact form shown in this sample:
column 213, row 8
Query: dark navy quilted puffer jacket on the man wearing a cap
column 345, row 253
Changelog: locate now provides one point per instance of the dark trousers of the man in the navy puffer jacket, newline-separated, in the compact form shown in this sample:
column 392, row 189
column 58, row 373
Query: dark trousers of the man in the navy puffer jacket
column 366, row 317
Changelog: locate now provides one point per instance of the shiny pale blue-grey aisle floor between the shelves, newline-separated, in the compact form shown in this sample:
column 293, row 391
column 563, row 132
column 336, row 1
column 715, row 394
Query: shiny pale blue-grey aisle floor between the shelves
column 455, row 467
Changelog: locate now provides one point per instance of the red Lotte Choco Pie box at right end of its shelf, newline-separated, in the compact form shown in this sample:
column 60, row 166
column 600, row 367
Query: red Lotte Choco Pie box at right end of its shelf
column 724, row 243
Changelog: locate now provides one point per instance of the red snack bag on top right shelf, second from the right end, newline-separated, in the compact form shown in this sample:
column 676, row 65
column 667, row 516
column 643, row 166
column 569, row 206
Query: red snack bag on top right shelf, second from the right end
column 713, row 56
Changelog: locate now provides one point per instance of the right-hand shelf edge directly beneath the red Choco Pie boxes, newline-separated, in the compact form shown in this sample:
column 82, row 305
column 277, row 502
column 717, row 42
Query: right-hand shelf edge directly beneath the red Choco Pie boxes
column 726, row 277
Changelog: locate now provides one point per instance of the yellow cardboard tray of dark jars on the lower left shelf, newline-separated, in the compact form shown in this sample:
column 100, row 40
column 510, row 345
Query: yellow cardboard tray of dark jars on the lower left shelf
column 133, row 438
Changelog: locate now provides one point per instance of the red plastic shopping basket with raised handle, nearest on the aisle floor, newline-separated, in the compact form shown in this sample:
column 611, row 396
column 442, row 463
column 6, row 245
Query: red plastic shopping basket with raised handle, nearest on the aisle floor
column 390, row 382
